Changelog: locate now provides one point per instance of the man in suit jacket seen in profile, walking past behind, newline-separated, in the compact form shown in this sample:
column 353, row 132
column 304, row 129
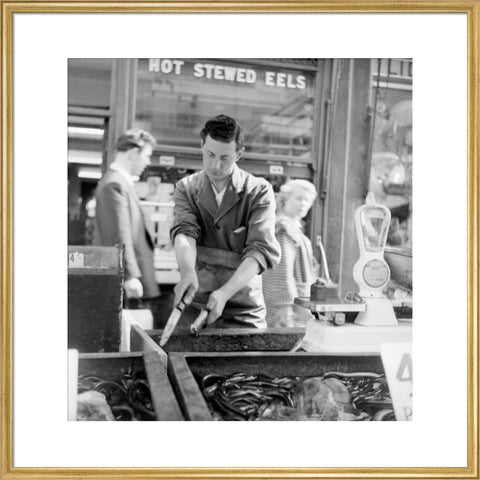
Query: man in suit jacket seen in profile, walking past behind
column 119, row 217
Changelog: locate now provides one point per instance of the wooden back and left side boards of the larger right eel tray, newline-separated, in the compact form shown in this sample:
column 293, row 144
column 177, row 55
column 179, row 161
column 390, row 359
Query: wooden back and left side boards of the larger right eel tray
column 187, row 369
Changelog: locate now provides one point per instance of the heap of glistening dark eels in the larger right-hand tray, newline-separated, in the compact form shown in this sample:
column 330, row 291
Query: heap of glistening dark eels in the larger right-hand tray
column 333, row 396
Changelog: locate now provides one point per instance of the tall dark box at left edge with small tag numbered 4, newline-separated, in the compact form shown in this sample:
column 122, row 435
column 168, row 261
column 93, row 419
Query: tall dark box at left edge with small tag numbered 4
column 95, row 282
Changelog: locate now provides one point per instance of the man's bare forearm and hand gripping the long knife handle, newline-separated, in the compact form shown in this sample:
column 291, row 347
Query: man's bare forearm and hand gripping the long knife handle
column 186, row 253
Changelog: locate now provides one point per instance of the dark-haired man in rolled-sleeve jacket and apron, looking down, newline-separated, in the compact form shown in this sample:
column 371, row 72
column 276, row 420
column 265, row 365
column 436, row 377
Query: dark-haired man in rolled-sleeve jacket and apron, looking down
column 224, row 232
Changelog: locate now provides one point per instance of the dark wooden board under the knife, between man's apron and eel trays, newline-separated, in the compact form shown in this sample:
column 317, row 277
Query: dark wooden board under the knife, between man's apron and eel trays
column 230, row 340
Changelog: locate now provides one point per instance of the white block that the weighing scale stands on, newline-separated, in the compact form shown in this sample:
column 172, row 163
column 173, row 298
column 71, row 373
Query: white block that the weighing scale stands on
column 325, row 337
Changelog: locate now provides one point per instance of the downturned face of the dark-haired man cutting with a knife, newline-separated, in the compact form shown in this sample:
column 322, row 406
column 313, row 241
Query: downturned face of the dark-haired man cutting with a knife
column 219, row 158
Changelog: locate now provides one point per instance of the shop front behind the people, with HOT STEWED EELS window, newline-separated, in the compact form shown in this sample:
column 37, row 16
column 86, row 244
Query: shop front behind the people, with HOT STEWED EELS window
column 303, row 118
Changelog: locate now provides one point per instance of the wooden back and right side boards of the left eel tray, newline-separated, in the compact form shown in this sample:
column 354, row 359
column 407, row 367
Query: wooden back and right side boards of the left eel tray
column 112, row 366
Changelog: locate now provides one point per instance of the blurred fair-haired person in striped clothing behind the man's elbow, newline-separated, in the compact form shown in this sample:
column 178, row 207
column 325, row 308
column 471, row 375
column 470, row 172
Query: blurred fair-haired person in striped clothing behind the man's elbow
column 298, row 267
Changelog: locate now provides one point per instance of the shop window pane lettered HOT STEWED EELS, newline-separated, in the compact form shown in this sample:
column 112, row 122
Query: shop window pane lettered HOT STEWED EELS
column 274, row 105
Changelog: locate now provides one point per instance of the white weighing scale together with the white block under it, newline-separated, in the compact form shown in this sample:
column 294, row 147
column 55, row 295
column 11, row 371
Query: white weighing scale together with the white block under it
column 376, row 322
